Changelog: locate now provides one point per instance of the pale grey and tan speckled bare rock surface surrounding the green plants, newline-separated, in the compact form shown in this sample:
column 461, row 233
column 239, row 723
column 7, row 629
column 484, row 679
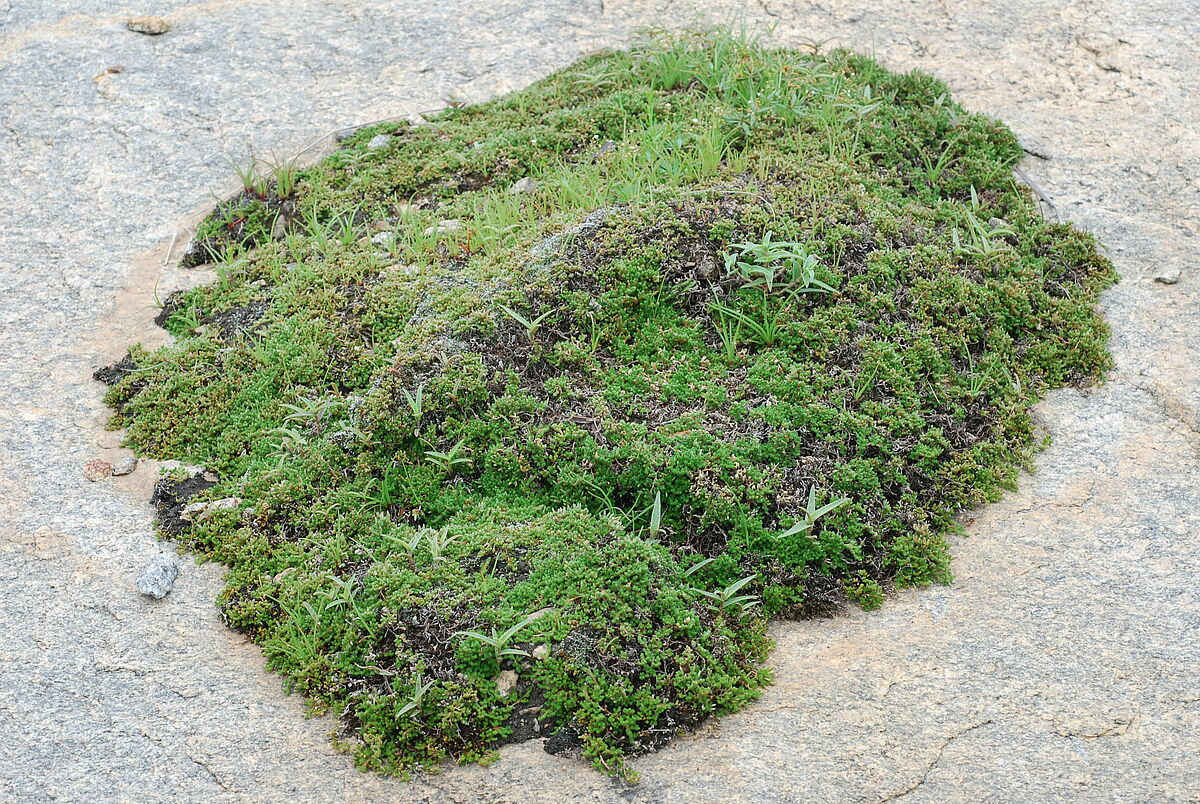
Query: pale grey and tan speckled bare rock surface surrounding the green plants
column 1064, row 664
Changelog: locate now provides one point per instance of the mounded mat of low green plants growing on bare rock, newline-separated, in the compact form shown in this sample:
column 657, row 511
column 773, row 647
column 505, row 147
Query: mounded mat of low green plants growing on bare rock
column 765, row 323
